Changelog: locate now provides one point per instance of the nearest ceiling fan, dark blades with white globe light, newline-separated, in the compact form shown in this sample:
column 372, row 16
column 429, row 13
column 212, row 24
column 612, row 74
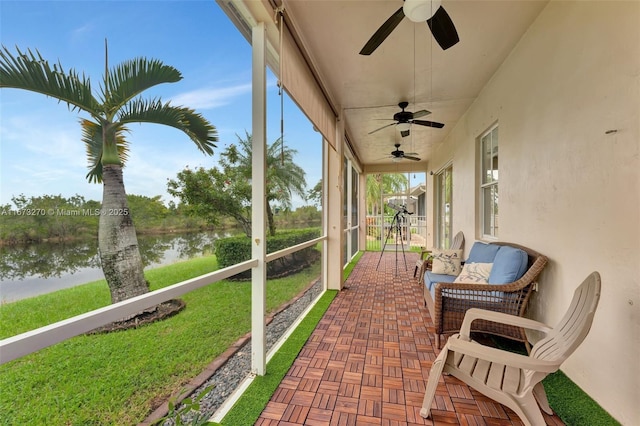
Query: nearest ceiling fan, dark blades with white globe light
column 440, row 24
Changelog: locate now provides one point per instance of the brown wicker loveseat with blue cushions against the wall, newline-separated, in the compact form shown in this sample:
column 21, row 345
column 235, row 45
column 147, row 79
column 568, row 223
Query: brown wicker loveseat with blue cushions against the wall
column 448, row 301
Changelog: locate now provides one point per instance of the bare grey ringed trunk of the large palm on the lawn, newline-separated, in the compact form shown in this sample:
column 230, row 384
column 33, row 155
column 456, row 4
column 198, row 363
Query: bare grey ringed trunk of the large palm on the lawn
column 117, row 241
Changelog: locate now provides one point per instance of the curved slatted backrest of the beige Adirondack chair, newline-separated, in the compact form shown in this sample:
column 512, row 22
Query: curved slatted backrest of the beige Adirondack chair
column 574, row 326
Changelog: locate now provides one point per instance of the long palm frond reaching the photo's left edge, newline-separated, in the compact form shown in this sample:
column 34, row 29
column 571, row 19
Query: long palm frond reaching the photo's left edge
column 29, row 71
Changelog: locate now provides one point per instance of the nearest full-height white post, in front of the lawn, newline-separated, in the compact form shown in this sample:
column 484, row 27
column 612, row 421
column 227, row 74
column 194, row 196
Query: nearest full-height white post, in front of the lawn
column 258, row 199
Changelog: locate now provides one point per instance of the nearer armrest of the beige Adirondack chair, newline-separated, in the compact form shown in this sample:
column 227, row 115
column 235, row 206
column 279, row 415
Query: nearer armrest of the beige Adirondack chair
column 457, row 344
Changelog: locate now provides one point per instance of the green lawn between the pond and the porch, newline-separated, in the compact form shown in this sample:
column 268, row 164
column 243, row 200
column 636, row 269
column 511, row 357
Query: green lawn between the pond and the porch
column 116, row 378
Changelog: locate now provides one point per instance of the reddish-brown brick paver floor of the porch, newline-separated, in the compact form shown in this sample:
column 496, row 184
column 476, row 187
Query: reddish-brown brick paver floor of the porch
column 368, row 360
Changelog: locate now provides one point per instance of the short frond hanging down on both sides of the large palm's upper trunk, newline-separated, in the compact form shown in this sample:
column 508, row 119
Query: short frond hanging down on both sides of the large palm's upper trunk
column 92, row 138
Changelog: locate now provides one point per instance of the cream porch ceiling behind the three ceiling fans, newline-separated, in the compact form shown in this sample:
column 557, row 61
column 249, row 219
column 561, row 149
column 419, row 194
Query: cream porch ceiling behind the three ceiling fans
column 408, row 66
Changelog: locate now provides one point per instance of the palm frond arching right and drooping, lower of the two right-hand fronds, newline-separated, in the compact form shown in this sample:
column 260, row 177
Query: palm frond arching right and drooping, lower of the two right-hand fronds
column 198, row 128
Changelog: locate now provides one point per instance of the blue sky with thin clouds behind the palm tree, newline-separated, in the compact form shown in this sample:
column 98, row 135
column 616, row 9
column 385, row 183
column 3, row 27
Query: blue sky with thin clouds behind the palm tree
column 40, row 148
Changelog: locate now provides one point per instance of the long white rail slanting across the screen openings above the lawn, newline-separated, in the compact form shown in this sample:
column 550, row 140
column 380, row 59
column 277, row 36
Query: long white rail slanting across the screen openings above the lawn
column 31, row 341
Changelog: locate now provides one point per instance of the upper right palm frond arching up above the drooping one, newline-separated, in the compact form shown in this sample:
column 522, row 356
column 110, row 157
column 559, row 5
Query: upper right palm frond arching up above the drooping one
column 127, row 80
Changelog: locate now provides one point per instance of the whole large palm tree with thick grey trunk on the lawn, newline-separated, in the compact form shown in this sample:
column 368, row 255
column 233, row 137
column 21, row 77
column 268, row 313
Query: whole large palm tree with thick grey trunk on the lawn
column 116, row 105
